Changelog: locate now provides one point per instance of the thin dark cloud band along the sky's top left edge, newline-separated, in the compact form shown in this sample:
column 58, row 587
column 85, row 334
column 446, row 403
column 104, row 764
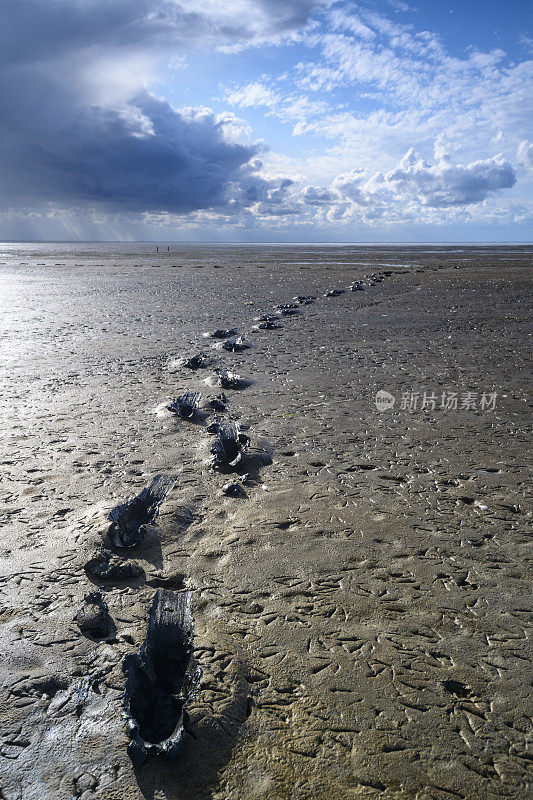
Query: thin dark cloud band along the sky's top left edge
column 33, row 29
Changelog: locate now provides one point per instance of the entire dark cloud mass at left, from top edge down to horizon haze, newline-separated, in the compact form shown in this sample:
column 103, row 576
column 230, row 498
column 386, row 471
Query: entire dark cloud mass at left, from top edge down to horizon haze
column 76, row 127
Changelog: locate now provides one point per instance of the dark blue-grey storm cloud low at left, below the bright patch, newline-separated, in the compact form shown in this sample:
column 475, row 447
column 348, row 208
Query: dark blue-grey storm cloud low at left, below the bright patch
column 145, row 157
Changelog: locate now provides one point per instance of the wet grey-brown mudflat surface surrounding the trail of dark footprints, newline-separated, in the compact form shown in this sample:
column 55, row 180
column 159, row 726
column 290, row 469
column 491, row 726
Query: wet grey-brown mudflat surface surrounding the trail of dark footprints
column 363, row 610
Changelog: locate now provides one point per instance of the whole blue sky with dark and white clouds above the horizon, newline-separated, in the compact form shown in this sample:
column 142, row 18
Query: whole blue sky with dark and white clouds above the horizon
column 266, row 120
